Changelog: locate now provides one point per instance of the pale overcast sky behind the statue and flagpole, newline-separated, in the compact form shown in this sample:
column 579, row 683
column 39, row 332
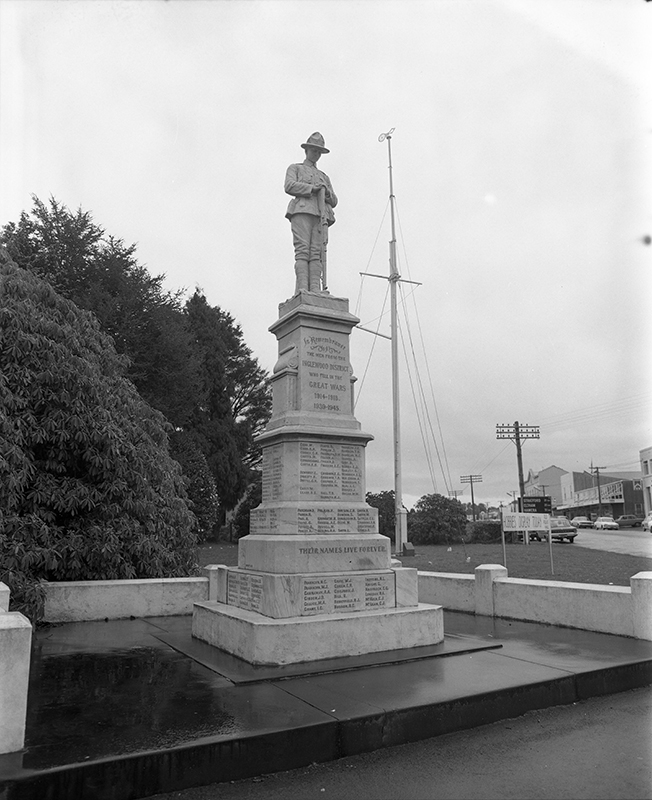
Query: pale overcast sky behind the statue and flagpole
column 522, row 174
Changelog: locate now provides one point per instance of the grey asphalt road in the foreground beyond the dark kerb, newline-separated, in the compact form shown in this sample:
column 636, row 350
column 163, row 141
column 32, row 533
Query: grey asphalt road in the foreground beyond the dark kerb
column 598, row 748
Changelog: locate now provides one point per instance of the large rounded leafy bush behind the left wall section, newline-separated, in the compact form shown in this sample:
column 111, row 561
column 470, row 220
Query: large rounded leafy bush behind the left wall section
column 88, row 489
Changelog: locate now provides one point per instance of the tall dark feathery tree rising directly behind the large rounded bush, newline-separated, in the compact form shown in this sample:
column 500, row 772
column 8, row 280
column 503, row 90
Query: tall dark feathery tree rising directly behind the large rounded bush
column 101, row 274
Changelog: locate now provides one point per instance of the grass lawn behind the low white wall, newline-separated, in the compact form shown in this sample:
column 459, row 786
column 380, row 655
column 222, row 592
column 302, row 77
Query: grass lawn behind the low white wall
column 571, row 563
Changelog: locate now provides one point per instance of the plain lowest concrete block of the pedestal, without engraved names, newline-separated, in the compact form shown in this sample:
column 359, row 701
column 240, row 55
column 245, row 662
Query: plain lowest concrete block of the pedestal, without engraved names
column 262, row 640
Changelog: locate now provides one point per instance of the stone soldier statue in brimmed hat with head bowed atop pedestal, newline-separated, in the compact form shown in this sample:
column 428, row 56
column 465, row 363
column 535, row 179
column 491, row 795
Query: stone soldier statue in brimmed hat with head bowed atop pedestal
column 310, row 213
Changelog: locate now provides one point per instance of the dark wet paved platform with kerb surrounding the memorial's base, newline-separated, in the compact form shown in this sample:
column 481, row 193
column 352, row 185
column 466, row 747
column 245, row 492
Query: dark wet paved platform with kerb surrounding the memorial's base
column 128, row 709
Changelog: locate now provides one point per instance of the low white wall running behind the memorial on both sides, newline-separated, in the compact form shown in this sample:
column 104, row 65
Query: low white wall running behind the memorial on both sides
column 621, row 610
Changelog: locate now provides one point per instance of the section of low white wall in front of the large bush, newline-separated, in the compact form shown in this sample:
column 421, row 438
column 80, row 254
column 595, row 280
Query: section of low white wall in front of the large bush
column 80, row 601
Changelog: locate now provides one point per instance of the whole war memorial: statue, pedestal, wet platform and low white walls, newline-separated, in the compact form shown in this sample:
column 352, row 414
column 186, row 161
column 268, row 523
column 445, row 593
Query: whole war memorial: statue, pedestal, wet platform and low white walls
column 319, row 644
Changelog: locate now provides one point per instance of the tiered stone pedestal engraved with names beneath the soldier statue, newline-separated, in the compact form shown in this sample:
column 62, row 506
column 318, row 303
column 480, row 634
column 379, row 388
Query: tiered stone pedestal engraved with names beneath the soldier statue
column 314, row 577
